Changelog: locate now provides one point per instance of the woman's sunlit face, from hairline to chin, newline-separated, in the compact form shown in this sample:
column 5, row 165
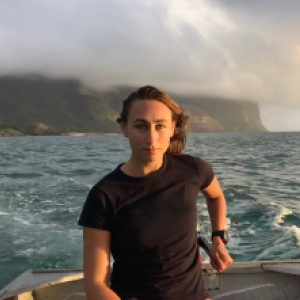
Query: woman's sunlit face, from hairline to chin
column 149, row 129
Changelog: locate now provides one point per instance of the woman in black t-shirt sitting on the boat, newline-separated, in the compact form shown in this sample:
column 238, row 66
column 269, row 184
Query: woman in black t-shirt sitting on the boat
column 144, row 212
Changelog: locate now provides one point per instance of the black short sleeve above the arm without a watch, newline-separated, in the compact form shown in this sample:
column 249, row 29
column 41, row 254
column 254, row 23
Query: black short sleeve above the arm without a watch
column 97, row 210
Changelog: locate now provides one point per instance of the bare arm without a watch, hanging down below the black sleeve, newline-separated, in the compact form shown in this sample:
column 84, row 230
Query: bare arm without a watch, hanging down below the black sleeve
column 96, row 264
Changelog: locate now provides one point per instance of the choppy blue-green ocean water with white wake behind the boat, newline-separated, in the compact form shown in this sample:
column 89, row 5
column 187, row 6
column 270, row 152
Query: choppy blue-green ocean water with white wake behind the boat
column 44, row 182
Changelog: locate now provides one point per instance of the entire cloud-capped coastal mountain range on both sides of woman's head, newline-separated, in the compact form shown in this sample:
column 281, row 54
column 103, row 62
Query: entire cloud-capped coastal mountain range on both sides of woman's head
column 35, row 105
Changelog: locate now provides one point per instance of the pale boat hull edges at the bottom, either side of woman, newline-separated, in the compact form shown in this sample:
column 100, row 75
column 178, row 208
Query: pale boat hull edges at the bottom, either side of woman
column 247, row 281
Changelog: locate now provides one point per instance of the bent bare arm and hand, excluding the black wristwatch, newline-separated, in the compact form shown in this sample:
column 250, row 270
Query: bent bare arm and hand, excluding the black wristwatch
column 217, row 209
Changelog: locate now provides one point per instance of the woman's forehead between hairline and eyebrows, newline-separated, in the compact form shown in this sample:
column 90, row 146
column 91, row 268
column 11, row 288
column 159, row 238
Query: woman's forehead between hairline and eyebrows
column 149, row 110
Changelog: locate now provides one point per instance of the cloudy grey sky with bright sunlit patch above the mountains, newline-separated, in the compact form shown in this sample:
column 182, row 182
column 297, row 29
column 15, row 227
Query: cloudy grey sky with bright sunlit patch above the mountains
column 245, row 50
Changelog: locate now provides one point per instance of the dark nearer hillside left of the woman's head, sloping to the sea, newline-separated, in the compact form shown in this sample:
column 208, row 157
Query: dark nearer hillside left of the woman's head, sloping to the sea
column 38, row 105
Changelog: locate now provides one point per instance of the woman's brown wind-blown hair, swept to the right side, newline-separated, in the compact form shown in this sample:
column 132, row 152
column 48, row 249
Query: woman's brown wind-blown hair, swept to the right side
column 178, row 140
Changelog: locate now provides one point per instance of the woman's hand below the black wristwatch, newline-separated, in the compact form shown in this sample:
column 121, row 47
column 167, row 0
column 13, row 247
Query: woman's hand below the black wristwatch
column 220, row 258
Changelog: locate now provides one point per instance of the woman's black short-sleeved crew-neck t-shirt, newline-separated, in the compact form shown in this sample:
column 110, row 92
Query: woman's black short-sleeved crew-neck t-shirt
column 152, row 221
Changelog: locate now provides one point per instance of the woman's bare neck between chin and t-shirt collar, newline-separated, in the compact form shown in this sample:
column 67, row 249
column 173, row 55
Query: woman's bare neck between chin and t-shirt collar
column 138, row 169
